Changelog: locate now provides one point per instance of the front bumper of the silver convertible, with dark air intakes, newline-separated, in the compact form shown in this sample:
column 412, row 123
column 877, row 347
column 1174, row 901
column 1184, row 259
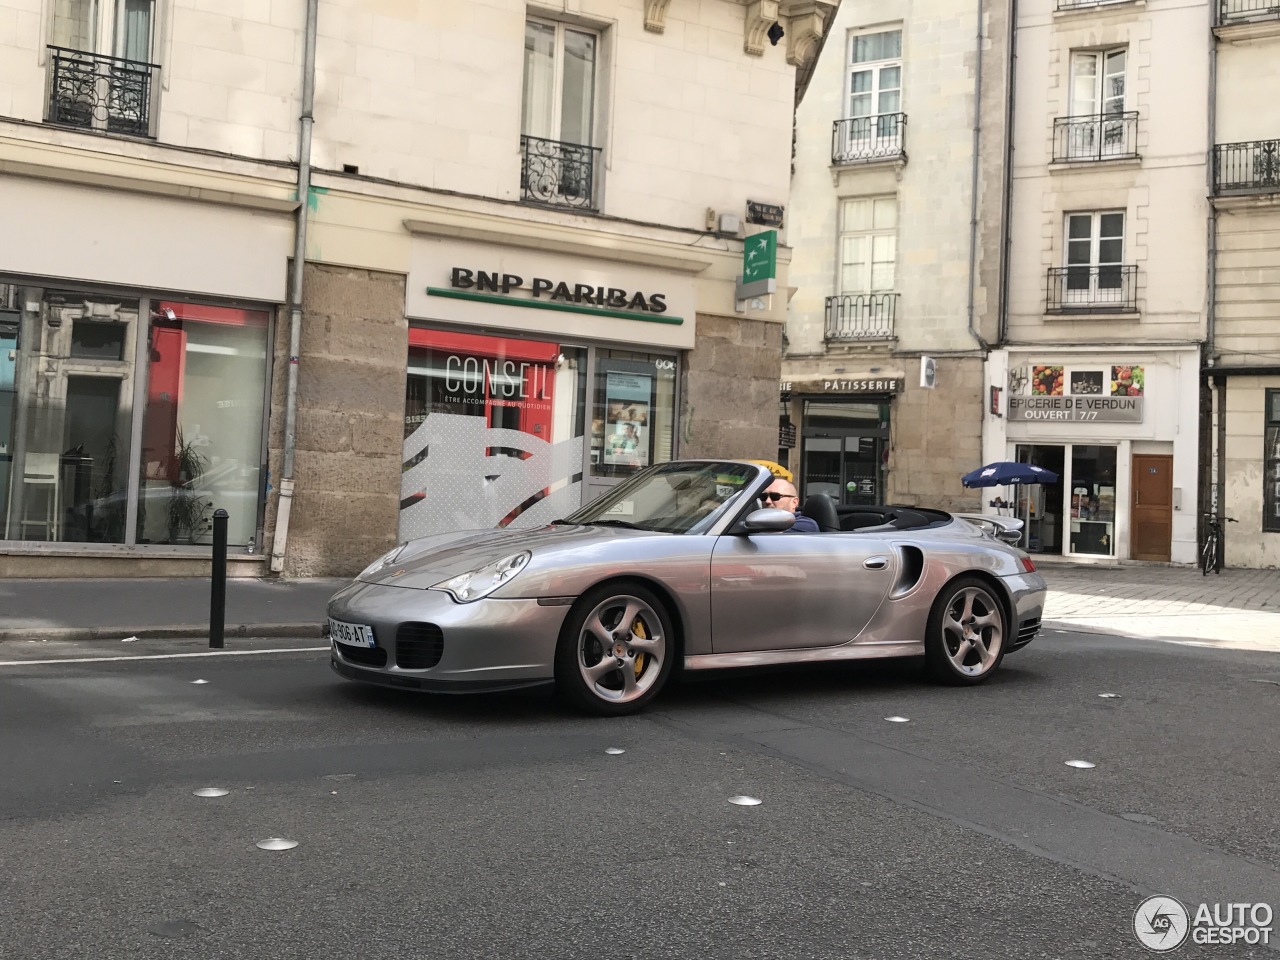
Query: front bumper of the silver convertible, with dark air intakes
column 470, row 647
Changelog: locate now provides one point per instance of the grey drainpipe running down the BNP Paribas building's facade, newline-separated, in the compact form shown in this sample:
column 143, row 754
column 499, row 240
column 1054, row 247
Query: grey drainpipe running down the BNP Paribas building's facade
column 296, row 271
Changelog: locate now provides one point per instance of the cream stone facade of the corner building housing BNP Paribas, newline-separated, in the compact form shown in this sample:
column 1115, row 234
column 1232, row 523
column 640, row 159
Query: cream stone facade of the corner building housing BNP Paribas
column 519, row 263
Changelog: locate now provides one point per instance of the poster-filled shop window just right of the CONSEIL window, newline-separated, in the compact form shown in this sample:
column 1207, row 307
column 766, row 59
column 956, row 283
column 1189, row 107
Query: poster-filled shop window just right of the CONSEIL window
column 633, row 419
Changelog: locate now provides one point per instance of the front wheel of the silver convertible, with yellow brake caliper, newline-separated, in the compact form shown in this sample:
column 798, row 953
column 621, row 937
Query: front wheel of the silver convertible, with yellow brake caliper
column 616, row 650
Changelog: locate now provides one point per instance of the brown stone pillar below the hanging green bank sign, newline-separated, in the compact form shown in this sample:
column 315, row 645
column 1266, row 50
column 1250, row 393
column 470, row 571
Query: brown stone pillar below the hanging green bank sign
column 732, row 390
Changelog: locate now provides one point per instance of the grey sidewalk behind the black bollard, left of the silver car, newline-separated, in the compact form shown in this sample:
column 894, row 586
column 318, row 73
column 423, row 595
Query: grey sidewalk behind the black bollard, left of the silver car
column 153, row 607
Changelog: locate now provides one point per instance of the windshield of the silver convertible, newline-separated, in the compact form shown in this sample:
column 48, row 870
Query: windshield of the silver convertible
column 674, row 499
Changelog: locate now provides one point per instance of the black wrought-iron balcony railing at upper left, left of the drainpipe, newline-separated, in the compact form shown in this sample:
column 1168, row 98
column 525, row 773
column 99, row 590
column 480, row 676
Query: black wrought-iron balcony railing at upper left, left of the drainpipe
column 100, row 93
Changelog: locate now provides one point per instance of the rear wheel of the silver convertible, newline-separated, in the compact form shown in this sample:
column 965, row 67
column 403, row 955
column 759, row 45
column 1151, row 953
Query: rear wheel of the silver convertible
column 967, row 633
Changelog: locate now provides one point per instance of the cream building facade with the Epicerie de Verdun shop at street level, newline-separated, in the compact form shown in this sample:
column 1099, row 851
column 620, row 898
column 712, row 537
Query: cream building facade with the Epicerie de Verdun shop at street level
column 1099, row 368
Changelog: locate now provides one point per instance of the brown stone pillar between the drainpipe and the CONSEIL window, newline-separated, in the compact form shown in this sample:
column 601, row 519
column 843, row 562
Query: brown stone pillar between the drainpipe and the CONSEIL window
column 351, row 420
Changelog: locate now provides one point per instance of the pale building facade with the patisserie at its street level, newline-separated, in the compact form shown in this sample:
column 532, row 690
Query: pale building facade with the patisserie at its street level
column 897, row 234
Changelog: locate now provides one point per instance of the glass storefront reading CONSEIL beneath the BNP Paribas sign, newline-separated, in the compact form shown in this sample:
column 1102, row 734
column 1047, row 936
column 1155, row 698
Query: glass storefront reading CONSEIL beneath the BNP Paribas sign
column 513, row 432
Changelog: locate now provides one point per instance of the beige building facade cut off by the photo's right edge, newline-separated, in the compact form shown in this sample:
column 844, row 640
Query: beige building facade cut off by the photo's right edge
column 1242, row 431
